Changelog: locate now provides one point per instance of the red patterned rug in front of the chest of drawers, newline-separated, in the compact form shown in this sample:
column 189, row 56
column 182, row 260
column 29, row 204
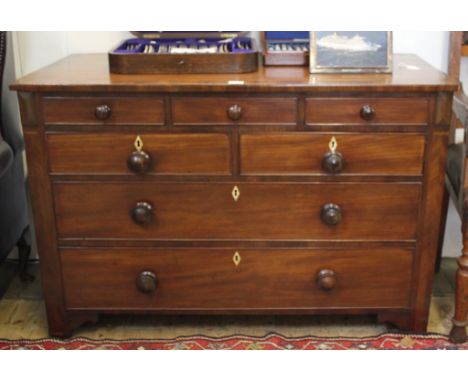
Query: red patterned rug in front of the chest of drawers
column 272, row 341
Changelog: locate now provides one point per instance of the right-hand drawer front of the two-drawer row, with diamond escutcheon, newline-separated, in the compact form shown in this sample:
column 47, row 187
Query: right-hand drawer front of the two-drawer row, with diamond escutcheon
column 359, row 154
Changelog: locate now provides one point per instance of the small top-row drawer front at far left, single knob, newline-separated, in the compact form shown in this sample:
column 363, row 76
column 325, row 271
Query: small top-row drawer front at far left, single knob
column 103, row 110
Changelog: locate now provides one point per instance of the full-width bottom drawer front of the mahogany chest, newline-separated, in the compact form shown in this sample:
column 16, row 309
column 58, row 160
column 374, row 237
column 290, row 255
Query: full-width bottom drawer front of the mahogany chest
column 207, row 278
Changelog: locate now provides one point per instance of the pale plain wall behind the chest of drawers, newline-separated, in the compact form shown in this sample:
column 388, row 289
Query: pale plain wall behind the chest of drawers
column 33, row 50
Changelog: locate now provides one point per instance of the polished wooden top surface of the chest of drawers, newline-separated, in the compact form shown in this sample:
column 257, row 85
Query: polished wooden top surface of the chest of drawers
column 90, row 73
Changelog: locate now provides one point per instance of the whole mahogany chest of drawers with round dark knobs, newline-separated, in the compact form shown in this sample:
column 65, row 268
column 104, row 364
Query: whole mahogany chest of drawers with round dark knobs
column 273, row 192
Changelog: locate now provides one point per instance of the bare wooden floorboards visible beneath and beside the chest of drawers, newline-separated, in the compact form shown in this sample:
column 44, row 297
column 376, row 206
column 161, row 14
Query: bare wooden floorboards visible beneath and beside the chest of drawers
column 22, row 315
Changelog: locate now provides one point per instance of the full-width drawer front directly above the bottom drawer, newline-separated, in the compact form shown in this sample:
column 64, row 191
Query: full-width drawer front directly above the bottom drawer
column 267, row 211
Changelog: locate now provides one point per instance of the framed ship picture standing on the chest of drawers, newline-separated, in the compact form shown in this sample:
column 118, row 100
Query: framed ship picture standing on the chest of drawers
column 351, row 52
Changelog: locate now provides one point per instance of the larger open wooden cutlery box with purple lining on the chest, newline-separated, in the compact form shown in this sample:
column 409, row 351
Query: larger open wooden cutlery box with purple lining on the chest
column 184, row 52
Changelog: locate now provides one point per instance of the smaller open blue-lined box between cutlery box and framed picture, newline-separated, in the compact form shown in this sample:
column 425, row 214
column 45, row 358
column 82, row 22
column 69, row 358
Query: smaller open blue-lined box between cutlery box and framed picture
column 285, row 48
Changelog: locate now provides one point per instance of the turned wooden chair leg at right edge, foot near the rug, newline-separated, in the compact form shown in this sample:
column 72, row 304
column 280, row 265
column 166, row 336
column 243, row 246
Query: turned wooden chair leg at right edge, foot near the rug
column 460, row 320
